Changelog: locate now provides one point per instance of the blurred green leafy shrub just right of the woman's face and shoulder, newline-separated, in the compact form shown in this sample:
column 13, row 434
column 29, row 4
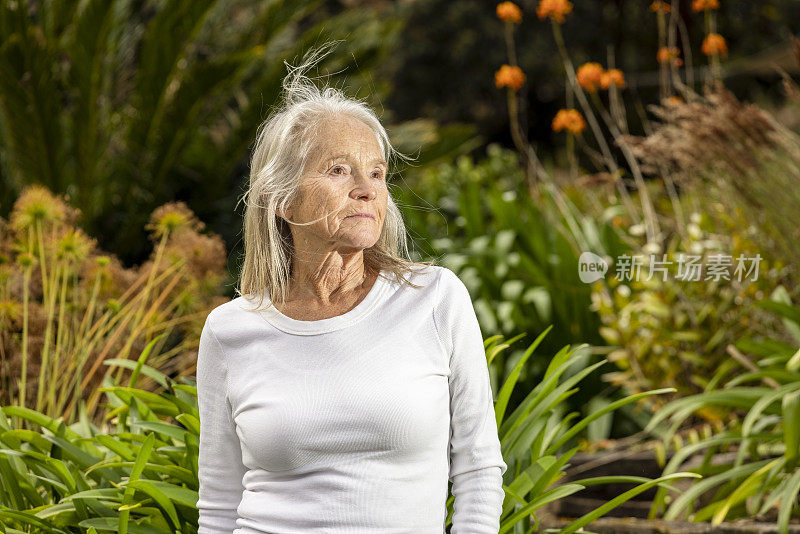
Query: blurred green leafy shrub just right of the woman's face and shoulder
column 517, row 256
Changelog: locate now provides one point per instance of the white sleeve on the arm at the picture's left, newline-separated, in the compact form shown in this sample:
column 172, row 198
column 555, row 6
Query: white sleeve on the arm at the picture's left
column 220, row 467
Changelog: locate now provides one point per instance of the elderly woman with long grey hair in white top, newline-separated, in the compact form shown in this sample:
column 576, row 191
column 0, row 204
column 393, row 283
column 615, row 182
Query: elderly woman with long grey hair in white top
column 346, row 384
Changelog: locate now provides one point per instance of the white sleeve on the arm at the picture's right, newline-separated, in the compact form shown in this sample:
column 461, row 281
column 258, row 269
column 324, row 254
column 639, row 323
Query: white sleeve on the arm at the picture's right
column 476, row 462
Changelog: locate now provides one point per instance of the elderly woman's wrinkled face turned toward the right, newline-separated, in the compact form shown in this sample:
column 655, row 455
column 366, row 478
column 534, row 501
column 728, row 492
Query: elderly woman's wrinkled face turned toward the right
column 346, row 176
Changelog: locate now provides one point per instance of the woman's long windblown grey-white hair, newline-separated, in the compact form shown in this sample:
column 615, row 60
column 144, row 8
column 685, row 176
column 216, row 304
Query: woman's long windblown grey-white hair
column 280, row 157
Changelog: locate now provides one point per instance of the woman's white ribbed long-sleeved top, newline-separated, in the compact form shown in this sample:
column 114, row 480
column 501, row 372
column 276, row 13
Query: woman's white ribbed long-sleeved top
column 351, row 424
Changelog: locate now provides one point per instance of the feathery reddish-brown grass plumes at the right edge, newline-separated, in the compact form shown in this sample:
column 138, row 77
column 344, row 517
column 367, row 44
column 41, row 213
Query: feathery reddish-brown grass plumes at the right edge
column 733, row 151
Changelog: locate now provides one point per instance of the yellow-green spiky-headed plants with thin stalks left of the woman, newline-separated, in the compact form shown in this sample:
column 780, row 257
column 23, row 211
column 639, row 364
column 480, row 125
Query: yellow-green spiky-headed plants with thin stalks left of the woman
column 67, row 307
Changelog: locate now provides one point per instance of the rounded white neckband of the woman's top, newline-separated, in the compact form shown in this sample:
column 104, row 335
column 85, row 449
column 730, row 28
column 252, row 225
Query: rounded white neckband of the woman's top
column 375, row 296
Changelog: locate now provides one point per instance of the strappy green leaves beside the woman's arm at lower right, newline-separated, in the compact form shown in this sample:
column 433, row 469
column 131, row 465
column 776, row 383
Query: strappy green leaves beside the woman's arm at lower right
column 535, row 436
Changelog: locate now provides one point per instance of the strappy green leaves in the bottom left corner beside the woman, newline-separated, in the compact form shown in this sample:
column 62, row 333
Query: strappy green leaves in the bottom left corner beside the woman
column 140, row 479
